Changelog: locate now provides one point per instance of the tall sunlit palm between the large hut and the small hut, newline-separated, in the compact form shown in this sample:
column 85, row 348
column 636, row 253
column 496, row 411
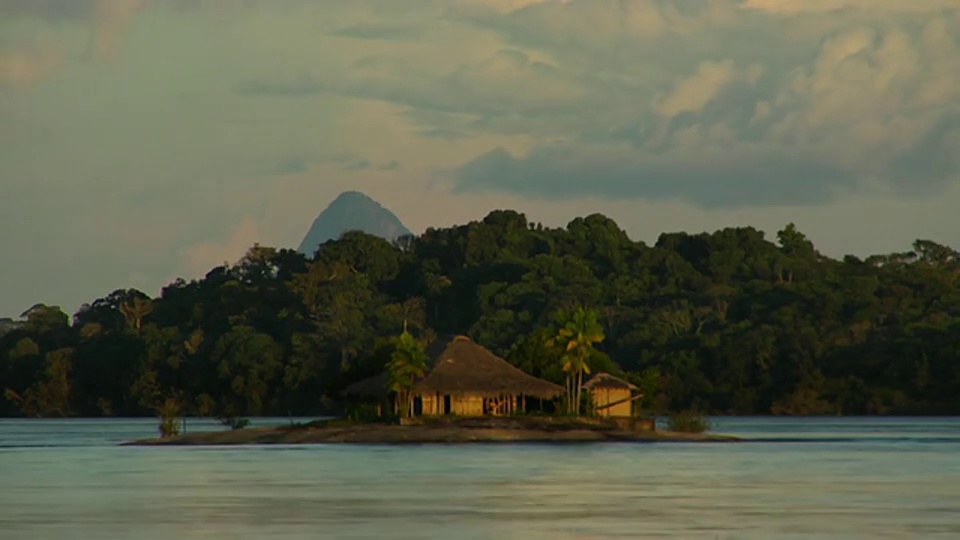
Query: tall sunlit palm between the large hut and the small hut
column 579, row 331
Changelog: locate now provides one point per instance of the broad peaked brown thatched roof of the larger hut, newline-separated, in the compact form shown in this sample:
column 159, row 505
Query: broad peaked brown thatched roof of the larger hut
column 461, row 366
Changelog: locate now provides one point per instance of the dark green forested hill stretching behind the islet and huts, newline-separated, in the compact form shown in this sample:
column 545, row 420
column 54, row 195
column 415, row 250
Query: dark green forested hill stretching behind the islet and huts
column 727, row 322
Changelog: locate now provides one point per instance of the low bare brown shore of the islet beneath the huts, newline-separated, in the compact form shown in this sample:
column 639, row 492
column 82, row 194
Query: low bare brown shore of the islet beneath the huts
column 446, row 430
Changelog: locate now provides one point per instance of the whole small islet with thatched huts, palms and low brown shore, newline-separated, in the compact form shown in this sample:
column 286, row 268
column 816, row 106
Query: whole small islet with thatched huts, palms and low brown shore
column 457, row 391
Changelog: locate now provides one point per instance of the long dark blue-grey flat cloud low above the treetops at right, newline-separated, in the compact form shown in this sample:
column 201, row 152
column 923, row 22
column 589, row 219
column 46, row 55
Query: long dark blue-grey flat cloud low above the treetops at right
column 715, row 180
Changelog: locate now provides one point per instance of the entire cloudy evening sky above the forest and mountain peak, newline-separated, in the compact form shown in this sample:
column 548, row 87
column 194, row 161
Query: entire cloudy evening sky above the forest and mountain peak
column 142, row 140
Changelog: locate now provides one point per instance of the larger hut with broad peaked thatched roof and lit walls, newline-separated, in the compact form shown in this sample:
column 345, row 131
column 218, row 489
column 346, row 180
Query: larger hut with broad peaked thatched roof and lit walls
column 465, row 379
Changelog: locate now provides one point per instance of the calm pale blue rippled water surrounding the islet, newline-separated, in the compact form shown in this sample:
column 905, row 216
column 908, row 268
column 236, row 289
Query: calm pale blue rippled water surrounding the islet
column 803, row 478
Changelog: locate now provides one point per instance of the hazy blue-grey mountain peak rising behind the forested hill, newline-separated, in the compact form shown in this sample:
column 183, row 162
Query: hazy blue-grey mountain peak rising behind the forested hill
column 352, row 211
